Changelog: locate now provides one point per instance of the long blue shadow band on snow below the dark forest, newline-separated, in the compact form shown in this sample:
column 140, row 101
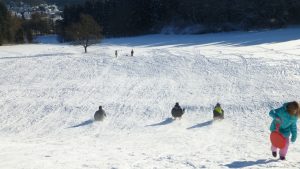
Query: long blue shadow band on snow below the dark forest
column 227, row 38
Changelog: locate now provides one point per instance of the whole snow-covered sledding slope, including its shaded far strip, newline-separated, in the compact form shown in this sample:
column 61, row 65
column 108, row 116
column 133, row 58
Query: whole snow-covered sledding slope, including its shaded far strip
column 49, row 93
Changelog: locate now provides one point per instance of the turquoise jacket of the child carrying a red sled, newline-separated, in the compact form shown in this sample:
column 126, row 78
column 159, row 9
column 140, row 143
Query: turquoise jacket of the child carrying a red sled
column 288, row 123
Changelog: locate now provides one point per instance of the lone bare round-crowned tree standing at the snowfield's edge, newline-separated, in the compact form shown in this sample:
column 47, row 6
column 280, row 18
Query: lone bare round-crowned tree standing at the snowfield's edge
column 86, row 32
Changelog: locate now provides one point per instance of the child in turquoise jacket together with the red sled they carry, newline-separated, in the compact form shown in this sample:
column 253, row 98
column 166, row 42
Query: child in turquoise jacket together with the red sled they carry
column 283, row 125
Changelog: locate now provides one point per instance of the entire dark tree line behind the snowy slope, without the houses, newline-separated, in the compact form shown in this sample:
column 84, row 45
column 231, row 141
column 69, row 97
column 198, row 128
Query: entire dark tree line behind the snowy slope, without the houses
column 137, row 17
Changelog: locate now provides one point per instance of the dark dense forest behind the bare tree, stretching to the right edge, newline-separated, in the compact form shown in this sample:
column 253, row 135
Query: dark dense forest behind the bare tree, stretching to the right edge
column 133, row 17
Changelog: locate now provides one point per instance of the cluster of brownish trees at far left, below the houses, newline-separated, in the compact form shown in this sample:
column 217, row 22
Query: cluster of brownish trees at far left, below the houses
column 17, row 30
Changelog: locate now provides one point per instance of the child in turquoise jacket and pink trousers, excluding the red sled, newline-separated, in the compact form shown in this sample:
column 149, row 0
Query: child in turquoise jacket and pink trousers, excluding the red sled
column 287, row 116
